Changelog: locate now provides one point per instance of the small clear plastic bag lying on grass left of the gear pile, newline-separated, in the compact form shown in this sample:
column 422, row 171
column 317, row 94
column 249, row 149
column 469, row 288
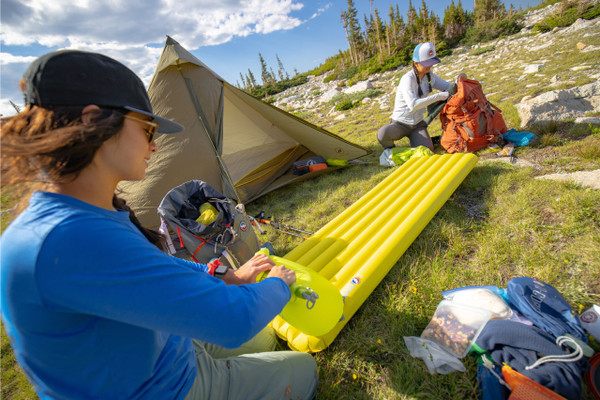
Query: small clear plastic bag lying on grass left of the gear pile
column 436, row 358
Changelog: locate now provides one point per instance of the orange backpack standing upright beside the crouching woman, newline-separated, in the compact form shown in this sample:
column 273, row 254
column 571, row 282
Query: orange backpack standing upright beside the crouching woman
column 470, row 122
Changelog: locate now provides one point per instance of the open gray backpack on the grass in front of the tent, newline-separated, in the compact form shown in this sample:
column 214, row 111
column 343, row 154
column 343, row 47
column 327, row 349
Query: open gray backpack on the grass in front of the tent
column 230, row 237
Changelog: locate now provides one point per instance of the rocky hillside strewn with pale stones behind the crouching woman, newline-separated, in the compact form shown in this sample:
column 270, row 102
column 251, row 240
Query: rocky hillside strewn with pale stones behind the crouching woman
column 500, row 59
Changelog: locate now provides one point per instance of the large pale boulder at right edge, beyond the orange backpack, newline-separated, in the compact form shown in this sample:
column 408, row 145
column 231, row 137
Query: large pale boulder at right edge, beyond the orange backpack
column 560, row 105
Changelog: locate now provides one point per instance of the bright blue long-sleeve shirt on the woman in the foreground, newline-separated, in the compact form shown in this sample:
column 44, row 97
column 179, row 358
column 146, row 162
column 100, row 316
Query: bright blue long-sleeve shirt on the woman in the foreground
column 94, row 310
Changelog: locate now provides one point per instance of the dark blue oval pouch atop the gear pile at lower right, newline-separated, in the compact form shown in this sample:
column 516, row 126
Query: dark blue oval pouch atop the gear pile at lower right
column 543, row 305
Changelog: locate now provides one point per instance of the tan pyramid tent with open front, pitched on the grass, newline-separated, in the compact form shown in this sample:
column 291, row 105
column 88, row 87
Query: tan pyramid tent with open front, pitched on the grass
column 238, row 144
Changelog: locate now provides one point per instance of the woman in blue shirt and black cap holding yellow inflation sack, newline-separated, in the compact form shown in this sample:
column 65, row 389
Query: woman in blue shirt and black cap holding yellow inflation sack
column 93, row 307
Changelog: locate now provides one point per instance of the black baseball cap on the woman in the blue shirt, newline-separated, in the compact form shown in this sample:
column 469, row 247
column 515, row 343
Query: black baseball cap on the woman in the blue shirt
column 74, row 77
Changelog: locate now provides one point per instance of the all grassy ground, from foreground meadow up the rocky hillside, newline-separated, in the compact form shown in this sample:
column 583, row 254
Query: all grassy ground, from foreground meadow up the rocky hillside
column 500, row 223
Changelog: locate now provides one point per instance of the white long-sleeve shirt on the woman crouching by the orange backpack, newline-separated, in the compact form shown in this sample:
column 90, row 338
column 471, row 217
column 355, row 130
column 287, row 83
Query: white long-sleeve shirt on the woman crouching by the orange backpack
column 408, row 107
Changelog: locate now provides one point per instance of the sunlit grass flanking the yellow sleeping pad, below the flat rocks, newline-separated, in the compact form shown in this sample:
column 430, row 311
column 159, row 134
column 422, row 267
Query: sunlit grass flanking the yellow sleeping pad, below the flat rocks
column 500, row 223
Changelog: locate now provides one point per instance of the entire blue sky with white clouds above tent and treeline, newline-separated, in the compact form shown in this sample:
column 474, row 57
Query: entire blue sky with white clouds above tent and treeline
column 226, row 35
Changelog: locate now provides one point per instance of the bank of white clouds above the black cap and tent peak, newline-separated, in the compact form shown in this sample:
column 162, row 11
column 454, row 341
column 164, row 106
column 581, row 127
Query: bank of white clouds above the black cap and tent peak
column 130, row 31
